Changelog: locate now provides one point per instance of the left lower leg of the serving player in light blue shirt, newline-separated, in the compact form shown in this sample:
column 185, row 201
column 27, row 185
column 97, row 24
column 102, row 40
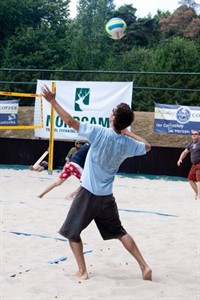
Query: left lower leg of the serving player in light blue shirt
column 77, row 249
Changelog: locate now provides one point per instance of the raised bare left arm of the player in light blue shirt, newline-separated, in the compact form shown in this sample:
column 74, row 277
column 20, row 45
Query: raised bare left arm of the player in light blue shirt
column 64, row 115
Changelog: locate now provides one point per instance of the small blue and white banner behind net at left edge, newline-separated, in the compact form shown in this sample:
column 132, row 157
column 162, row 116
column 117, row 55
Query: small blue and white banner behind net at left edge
column 9, row 112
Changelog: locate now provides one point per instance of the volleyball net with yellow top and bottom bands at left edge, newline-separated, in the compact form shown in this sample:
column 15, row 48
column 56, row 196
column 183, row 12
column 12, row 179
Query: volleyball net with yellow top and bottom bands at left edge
column 13, row 116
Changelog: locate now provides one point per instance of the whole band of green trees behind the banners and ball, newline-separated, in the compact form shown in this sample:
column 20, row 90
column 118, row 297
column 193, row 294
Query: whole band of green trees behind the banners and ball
column 39, row 35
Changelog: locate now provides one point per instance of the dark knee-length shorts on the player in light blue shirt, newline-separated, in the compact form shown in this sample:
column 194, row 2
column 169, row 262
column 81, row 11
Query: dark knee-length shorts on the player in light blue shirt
column 87, row 207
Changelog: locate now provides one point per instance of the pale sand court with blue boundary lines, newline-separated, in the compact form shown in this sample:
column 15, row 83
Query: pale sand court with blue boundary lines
column 36, row 262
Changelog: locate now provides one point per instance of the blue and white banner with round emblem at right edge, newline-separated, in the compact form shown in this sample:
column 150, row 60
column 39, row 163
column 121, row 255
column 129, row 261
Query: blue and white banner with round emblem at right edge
column 176, row 119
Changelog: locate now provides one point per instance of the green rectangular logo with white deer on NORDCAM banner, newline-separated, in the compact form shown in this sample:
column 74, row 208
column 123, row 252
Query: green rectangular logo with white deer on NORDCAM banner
column 82, row 99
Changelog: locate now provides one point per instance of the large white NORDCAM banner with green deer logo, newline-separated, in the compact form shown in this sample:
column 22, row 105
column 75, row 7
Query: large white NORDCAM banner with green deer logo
column 86, row 101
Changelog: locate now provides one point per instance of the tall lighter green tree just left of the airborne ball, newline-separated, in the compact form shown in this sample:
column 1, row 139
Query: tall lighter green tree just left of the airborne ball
column 90, row 46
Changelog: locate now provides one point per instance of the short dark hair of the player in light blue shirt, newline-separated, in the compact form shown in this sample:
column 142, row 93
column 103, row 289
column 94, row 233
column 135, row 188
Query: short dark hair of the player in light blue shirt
column 124, row 116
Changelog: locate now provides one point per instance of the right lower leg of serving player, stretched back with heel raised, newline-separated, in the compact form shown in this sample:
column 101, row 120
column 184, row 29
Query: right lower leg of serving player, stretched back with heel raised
column 131, row 246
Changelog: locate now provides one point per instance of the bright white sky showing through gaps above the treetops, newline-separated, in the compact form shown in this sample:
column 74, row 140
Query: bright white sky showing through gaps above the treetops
column 144, row 7
